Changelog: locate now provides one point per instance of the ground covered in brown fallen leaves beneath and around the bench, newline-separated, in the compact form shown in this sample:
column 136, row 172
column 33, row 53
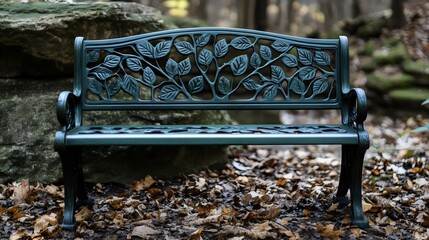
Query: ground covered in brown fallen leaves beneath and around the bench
column 263, row 193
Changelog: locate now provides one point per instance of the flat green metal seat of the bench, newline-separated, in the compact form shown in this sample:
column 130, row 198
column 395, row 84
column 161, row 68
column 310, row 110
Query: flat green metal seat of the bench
column 264, row 134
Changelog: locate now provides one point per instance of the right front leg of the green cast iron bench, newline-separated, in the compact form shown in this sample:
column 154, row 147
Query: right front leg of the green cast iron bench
column 358, row 217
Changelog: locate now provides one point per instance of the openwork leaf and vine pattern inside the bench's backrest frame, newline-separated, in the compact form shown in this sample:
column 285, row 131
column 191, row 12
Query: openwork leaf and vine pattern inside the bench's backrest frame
column 262, row 67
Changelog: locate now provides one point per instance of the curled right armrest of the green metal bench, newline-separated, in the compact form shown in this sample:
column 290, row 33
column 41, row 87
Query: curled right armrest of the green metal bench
column 354, row 110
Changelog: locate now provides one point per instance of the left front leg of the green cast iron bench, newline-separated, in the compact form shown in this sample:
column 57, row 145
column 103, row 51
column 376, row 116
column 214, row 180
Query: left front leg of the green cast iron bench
column 69, row 190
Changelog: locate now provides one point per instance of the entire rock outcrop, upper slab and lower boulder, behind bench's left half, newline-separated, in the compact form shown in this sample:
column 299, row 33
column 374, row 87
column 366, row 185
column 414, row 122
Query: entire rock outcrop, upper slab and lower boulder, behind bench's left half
column 37, row 40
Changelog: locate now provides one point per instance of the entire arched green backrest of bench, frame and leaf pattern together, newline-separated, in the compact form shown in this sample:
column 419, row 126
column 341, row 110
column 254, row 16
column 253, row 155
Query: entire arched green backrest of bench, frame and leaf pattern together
column 211, row 68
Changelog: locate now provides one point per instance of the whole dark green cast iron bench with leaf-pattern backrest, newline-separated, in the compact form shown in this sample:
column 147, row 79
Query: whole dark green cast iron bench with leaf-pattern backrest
column 211, row 69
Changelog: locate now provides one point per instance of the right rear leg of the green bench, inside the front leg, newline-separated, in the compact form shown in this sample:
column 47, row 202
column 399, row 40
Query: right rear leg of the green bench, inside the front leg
column 347, row 153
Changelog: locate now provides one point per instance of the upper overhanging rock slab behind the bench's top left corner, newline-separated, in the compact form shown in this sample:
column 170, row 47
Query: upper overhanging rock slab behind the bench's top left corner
column 38, row 34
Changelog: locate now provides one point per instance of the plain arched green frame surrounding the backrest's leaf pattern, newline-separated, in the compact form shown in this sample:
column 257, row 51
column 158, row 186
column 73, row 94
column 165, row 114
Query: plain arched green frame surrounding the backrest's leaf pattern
column 340, row 74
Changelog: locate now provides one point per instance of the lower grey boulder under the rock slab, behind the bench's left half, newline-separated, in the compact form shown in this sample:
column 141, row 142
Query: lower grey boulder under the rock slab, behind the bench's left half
column 28, row 124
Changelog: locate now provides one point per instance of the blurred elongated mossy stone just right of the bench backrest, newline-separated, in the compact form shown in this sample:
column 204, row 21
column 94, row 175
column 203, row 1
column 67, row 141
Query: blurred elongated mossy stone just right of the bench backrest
column 383, row 82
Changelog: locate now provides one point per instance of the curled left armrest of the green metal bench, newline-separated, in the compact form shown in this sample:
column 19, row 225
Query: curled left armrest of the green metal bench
column 66, row 110
